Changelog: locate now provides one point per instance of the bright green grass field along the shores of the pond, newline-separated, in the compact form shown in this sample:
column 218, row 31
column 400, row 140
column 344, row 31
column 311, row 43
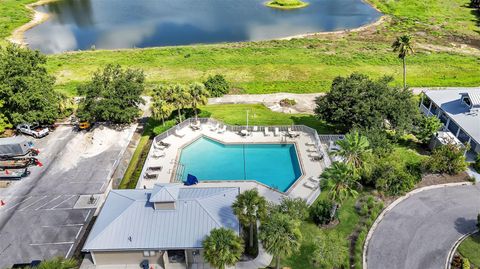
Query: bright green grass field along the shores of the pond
column 304, row 65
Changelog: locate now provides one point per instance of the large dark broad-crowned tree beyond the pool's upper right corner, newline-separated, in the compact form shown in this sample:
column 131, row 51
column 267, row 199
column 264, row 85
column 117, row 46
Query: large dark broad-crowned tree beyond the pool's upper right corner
column 357, row 101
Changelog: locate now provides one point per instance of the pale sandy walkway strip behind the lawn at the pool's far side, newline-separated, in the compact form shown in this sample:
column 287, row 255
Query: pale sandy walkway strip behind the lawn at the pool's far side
column 305, row 102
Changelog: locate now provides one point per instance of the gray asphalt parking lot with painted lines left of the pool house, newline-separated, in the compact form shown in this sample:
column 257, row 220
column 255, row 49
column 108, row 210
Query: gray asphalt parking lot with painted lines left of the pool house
column 41, row 218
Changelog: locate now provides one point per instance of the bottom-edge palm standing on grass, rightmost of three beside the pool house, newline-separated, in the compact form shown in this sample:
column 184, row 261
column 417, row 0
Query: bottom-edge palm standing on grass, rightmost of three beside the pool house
column 280, row 236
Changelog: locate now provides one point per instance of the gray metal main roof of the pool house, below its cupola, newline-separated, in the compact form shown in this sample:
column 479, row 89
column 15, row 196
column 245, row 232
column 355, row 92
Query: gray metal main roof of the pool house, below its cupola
column 128, row 220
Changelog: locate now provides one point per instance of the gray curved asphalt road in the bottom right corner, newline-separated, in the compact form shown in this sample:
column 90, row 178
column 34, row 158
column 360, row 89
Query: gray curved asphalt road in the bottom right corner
column 419, row 232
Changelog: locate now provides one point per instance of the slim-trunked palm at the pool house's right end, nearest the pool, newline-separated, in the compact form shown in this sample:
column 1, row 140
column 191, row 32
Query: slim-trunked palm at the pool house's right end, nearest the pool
column 250, row 207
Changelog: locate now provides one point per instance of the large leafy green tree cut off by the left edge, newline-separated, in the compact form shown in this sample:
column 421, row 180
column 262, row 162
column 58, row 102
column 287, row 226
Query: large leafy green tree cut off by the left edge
column 26, row 88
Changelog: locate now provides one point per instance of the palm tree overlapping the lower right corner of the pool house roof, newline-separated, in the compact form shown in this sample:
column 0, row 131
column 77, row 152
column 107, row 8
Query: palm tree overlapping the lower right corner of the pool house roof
column 222, row 248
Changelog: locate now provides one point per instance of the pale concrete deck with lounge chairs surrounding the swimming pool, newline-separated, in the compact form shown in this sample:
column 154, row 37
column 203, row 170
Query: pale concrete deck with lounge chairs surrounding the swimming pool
column 186, row 135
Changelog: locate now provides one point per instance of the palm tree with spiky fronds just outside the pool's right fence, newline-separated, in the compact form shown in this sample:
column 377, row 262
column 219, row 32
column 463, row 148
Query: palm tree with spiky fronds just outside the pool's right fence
column 353, row 149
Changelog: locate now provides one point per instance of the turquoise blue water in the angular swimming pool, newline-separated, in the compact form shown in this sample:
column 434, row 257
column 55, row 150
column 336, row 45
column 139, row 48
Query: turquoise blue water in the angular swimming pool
column 275, row 165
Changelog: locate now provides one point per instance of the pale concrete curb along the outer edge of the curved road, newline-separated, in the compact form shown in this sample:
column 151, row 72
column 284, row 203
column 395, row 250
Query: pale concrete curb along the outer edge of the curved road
column 396, row 202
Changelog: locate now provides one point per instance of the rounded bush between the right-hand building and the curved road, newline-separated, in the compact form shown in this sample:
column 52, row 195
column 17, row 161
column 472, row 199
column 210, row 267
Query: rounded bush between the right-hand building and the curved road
column 449, row 159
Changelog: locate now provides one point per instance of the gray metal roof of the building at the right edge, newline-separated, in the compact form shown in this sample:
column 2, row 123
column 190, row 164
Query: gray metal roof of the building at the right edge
column 449, row 101
